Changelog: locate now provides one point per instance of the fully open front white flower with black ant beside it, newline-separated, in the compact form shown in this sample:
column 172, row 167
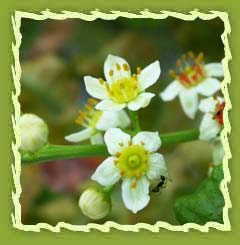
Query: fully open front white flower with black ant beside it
column 135, row 161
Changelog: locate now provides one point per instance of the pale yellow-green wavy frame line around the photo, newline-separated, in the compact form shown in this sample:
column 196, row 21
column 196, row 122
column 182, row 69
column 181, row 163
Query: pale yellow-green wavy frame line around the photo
column 91, row 16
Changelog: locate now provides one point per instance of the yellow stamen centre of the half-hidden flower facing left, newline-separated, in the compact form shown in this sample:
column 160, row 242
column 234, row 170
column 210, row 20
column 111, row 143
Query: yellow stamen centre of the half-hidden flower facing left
column 89, row 117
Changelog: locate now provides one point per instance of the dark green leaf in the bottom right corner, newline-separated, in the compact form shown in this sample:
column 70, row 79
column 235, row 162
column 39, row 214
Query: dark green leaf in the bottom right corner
column 205, row 205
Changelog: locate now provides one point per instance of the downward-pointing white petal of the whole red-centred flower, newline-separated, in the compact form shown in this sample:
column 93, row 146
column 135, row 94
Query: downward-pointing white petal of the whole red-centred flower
column 189, row 102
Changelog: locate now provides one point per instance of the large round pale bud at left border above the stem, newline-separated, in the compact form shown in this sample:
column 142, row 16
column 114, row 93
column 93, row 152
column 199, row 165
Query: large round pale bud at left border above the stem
column 33, row 133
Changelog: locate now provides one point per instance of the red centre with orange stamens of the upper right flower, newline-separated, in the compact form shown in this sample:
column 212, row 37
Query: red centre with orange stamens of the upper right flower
column 190, row 70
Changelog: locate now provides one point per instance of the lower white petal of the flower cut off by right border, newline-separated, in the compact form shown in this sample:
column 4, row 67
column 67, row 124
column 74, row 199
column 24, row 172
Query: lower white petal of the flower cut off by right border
column 209, row 127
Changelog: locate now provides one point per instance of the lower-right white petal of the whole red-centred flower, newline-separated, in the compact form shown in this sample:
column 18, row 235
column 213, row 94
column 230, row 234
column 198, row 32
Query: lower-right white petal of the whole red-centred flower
column 209, row 86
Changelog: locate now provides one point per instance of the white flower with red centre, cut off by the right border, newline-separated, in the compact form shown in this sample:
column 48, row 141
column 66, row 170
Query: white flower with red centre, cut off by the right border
column 212, row 121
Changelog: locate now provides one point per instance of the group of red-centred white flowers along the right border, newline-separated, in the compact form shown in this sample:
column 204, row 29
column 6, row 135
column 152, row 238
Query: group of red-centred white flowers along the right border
column 191, row 79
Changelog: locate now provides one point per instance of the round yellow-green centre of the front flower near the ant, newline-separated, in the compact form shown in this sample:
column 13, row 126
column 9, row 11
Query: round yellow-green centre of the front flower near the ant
column 133, row 161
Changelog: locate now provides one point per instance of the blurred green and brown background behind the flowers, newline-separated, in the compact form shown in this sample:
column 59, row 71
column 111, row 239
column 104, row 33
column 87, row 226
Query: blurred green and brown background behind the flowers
column 55, row 55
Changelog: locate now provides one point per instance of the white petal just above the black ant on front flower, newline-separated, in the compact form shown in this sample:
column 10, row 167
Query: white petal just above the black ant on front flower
column 157, row 166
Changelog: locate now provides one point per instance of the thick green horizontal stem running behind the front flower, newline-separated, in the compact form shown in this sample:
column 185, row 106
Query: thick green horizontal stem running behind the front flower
column 59, row 152
